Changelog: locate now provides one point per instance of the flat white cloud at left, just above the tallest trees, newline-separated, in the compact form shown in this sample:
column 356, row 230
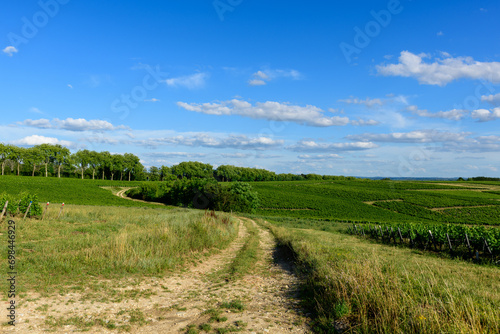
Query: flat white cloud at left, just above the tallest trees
column 71, row 124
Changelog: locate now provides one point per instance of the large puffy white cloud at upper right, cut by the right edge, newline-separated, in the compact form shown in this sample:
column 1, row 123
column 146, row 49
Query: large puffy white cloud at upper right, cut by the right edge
column 441, row 71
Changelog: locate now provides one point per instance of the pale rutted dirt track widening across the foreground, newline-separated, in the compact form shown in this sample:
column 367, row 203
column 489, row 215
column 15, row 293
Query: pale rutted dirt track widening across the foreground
column 171, row 304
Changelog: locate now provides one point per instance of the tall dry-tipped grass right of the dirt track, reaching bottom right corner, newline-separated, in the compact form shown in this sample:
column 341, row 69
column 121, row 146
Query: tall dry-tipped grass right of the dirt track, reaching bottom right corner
column 368, row 288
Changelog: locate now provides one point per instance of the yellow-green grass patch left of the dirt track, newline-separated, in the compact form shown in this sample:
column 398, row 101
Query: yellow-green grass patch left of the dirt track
column 89, row 243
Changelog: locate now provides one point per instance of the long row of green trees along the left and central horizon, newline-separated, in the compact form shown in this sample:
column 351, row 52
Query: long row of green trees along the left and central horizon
column 56, row 160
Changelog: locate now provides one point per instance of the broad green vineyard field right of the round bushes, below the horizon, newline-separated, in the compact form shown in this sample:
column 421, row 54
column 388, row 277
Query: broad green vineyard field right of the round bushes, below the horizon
column 382, row 201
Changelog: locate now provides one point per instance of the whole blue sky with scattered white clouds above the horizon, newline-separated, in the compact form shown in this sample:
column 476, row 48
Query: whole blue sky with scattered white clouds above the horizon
column 366, row 88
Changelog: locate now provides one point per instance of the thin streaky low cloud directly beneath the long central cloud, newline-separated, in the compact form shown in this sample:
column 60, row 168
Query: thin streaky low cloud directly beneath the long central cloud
column 205, row 140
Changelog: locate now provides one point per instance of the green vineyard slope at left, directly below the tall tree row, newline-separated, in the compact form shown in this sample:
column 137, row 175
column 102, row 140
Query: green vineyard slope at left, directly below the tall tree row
column 69, row 191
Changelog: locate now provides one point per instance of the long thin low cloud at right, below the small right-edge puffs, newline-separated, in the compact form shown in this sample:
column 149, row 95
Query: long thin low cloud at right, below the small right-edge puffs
column 423, row 136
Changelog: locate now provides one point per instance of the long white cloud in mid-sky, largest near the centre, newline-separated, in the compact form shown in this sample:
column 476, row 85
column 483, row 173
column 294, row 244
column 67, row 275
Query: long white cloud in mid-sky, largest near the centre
column 275, row 111
